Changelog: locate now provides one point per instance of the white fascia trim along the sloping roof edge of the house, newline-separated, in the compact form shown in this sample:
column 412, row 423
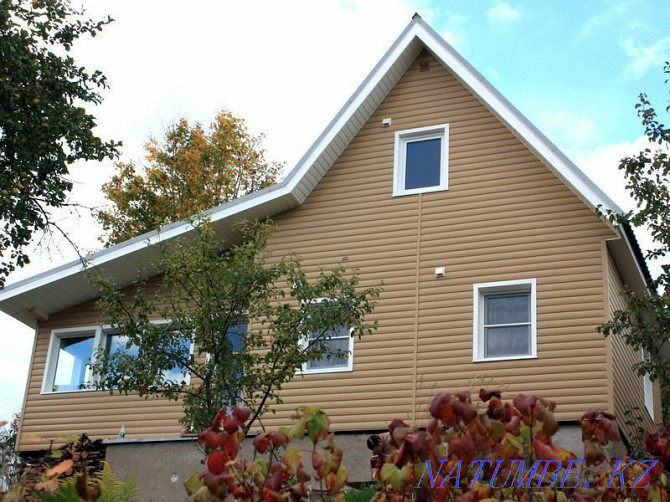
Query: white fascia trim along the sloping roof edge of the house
column 297, row 185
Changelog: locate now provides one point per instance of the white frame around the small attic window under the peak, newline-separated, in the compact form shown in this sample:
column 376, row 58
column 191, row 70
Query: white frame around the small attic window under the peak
column 402, row 138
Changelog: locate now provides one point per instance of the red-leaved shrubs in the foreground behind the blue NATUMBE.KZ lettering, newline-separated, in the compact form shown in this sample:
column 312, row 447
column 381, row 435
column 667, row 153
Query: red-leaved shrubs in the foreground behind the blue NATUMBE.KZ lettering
column 461, row 454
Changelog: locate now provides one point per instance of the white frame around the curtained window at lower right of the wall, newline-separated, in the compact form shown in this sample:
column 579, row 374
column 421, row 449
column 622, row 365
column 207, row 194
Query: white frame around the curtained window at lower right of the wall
column 482, row 289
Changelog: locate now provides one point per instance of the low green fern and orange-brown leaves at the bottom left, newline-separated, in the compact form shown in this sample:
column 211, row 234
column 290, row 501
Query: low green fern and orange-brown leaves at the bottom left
column 103, row 487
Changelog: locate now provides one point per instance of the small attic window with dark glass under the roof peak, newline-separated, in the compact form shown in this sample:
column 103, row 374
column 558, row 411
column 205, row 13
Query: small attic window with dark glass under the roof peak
column 421, row 160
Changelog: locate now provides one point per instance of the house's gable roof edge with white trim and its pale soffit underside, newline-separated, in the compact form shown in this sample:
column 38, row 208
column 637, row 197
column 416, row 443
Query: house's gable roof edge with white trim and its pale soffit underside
column 66, row 286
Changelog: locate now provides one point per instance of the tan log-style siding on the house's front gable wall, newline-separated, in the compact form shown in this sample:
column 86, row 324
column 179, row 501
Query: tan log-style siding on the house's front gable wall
column 505, row 216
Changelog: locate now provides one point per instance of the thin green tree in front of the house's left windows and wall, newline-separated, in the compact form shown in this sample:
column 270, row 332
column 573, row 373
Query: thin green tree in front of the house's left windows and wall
column 253, row 319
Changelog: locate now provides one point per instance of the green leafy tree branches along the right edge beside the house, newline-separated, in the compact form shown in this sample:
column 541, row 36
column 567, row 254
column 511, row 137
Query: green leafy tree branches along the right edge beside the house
column 645, row 325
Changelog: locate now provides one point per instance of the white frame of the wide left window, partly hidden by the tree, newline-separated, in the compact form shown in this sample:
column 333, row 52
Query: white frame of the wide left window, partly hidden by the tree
column 100, row 334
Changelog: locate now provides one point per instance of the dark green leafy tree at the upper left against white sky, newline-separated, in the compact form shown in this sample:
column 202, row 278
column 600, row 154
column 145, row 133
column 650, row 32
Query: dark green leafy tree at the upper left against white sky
column 44, row 126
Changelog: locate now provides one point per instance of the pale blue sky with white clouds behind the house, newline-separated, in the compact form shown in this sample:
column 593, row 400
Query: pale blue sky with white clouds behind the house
column 574, row 68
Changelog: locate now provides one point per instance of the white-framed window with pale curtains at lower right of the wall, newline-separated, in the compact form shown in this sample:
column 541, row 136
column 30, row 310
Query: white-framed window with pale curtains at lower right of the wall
column 505, row 320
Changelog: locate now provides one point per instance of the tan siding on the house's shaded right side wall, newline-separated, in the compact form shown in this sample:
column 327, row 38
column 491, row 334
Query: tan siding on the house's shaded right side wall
column 628, row 386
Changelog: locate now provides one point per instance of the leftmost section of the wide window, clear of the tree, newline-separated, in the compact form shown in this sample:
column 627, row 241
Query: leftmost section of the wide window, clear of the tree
column 69, row 358
